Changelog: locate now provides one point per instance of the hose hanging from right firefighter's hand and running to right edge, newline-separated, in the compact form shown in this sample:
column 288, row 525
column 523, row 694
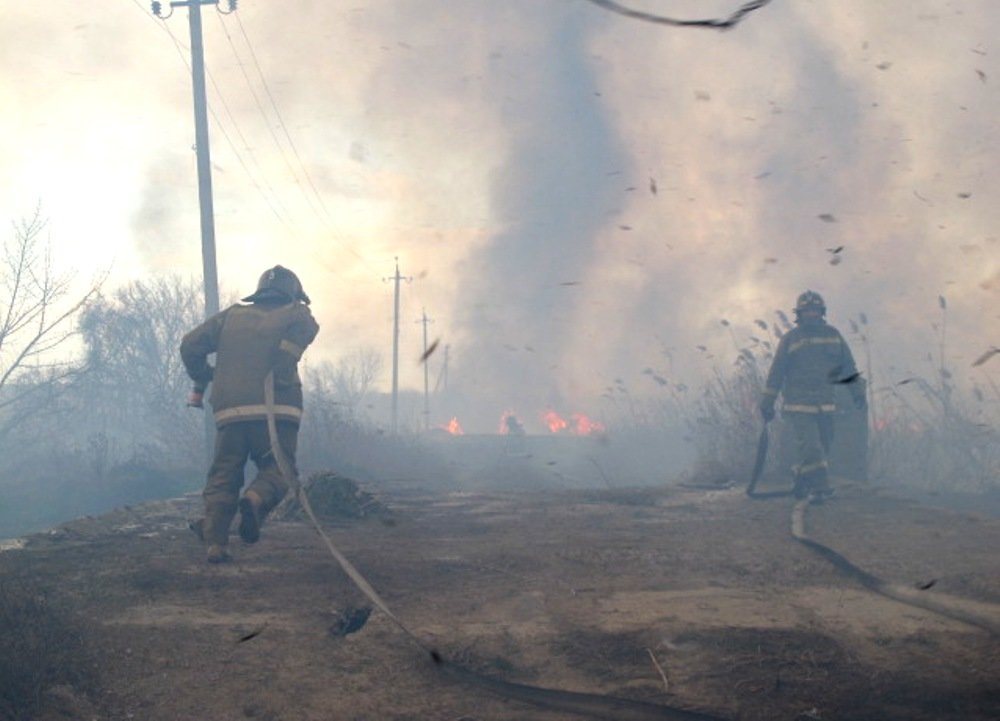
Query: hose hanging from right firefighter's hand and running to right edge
column 901, row 594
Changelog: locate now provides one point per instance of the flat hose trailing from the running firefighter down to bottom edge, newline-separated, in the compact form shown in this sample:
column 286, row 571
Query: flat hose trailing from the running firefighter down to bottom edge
column 585, row 704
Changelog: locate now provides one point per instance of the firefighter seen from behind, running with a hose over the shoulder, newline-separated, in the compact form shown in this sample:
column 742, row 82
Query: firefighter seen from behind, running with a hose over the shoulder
column 268, row 331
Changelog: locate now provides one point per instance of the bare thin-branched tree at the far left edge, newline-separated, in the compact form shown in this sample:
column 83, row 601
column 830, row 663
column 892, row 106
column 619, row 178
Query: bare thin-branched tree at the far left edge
column 36, row 323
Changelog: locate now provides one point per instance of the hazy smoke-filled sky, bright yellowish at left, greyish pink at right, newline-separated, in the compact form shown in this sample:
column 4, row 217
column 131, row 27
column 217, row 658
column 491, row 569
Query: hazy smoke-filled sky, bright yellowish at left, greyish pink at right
column 575, row 196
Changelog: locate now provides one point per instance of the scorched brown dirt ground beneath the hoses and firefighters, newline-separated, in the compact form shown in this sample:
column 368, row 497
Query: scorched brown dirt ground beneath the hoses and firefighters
column 676, row 597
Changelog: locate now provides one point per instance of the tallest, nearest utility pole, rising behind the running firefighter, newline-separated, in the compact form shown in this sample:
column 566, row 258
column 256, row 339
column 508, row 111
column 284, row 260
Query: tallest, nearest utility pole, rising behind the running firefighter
column 210, row 275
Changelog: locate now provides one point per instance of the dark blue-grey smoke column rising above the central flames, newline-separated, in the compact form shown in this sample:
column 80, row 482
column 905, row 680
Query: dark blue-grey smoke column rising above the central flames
column 550, row 197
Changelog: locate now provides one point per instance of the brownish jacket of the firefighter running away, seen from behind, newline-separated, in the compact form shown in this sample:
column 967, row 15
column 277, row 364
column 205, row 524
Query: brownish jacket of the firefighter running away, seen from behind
column 249, row 341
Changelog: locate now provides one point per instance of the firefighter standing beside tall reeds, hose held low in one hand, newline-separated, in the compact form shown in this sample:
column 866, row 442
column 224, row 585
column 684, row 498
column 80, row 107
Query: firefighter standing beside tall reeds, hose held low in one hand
column 810, row 361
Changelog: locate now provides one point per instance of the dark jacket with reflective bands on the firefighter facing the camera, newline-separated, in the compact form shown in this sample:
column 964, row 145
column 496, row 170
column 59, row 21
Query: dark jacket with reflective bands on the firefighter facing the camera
column 810, row 360
